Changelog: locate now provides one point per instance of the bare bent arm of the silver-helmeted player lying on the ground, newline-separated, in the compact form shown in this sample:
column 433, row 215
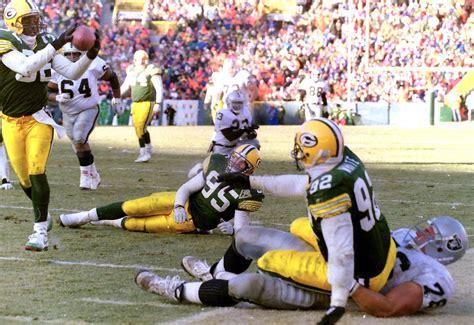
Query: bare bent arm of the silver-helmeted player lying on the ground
column 404, row 299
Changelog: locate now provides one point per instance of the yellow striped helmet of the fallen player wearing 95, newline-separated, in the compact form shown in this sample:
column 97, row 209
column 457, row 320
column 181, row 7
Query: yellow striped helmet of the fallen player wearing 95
column 244, row 159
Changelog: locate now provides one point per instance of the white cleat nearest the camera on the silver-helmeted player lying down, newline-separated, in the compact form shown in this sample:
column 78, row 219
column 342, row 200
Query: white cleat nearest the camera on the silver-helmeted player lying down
column 169, row 287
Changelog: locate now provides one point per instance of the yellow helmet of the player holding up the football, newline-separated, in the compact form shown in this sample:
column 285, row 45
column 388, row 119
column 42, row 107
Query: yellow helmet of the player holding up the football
column 23, row 17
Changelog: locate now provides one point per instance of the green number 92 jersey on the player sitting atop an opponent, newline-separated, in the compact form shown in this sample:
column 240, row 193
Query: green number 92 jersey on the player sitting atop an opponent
column 347, row 188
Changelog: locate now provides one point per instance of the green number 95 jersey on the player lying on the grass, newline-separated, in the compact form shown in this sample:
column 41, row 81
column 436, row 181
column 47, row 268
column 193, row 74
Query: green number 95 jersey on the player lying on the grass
column 219, row 200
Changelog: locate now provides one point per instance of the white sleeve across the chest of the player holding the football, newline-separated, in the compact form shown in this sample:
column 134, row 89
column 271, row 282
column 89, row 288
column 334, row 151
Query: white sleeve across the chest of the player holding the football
column 28, row 65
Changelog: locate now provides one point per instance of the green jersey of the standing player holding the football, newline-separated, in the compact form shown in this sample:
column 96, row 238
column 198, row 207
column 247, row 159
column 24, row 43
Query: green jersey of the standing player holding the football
column 28, row 94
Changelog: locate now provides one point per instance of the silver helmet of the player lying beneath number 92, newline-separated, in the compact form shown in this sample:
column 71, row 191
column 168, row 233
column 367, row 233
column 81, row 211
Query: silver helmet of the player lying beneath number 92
column 443, row 238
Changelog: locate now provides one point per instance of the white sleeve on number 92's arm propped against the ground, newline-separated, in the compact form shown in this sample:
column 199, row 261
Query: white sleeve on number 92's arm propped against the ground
column 338, row 233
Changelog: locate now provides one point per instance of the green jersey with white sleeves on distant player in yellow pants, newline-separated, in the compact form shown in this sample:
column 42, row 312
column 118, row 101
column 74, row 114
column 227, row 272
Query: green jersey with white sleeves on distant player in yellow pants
column 140, row 82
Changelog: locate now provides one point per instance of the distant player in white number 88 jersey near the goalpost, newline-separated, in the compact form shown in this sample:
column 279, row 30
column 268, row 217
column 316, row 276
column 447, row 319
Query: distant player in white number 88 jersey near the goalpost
column 313, row 93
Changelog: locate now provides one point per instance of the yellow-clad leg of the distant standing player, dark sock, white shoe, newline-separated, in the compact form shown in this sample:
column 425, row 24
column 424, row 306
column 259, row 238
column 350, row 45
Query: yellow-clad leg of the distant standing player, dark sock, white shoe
column 142, row 112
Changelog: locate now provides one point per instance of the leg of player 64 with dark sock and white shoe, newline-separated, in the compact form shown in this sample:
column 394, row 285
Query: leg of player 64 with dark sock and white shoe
column 83, row 125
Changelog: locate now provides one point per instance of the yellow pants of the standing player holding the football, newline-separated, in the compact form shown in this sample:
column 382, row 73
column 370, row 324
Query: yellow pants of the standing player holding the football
column 28, row 144
